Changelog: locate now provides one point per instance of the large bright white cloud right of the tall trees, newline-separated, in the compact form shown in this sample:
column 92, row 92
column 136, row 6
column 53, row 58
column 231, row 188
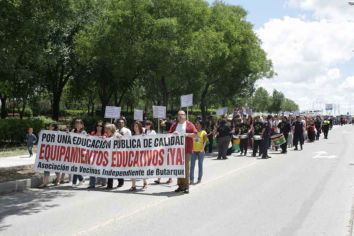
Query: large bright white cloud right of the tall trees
column 308, row 54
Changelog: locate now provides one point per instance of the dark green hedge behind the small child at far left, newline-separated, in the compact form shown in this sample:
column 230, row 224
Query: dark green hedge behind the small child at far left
column 13, row 131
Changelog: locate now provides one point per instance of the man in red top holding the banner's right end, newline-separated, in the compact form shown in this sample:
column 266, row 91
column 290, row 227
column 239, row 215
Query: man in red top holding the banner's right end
column 183, row 126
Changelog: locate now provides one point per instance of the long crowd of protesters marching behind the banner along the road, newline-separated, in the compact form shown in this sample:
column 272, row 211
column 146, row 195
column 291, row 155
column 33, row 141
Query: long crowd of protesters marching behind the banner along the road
column 235, row 133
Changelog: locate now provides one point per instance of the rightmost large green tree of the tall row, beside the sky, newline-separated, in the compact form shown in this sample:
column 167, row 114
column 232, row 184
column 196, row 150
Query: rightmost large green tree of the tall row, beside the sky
column 228, row 56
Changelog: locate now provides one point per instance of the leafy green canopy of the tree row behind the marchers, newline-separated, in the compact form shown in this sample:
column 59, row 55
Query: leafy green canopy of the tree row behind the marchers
column 129, row 53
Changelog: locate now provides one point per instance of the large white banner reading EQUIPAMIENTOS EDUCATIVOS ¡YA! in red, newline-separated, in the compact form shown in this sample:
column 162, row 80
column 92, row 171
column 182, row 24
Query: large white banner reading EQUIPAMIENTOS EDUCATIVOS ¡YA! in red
column 132, row 157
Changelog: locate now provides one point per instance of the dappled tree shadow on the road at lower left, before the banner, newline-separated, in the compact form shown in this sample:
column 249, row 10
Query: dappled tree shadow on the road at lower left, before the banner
column 28, row 203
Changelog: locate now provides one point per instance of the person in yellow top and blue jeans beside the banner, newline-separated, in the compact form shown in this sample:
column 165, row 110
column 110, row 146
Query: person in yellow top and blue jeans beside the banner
column 199, row 142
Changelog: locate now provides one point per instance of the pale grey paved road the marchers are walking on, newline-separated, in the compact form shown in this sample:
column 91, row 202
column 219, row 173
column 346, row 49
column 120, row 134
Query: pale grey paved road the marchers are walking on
column 308, row 192
